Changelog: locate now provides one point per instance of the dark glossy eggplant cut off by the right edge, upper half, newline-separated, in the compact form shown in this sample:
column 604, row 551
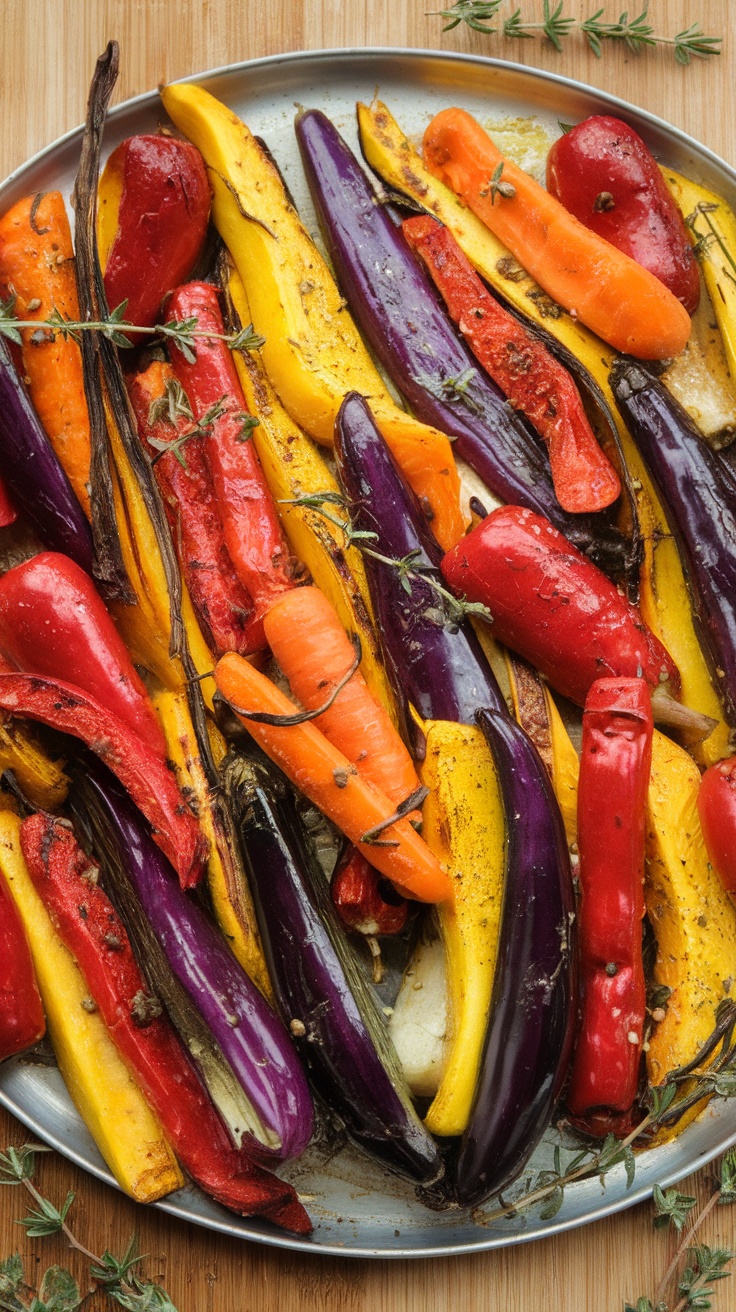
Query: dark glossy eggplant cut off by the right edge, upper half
column 700, row 499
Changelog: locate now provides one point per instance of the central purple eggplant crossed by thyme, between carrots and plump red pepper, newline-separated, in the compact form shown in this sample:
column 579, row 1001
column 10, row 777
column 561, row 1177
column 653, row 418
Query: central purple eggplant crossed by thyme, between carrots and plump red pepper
column 432, row 663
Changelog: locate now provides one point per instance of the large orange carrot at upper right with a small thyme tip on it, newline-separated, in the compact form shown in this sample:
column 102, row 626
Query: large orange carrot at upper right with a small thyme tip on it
column 605, row 289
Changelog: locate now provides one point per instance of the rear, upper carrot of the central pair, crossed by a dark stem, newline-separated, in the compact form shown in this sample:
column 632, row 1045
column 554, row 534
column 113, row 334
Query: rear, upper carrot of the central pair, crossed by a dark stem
column 308, row 638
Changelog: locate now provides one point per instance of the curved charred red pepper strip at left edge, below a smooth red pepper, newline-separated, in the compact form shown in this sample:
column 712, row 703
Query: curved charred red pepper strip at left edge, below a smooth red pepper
column 146, row 779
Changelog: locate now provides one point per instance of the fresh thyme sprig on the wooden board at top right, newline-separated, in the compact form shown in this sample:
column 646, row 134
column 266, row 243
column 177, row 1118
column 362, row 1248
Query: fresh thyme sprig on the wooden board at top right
column 636, row 32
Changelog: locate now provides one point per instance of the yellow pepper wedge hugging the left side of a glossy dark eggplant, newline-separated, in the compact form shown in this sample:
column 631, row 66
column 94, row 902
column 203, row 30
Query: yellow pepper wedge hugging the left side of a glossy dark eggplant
column 464, row 825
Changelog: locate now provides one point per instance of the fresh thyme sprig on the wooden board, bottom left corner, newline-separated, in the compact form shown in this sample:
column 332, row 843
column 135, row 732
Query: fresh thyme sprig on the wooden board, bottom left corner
column 58, row 1292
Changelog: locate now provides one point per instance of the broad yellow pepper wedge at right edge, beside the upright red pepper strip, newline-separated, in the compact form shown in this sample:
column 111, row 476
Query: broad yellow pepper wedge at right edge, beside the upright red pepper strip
column 692, row 916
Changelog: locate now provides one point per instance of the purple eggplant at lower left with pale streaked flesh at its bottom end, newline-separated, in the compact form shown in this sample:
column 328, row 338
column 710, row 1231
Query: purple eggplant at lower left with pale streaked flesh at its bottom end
column 247, row 1033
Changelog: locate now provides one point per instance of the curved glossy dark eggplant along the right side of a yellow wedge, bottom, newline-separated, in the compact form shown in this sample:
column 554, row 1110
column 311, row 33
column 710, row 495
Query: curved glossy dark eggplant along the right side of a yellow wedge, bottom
column 529, row 1037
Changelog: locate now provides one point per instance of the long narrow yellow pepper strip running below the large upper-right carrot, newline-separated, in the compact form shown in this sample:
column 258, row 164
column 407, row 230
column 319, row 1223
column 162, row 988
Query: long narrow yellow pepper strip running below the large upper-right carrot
column 664, row 599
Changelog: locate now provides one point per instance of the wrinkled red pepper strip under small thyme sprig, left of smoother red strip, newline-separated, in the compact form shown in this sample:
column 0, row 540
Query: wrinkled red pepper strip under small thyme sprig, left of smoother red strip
column 222, row 604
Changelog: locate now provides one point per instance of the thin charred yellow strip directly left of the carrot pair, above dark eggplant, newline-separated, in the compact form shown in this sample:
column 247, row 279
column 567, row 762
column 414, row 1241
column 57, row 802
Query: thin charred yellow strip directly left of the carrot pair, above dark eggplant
column 229, row 888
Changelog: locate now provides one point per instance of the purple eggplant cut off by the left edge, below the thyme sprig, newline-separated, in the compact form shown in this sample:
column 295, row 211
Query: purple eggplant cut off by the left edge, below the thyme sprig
column 35, row 476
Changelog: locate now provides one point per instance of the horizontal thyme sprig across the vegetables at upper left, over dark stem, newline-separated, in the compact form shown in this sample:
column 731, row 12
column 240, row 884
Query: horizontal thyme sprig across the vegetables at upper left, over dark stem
column 183, row 333
